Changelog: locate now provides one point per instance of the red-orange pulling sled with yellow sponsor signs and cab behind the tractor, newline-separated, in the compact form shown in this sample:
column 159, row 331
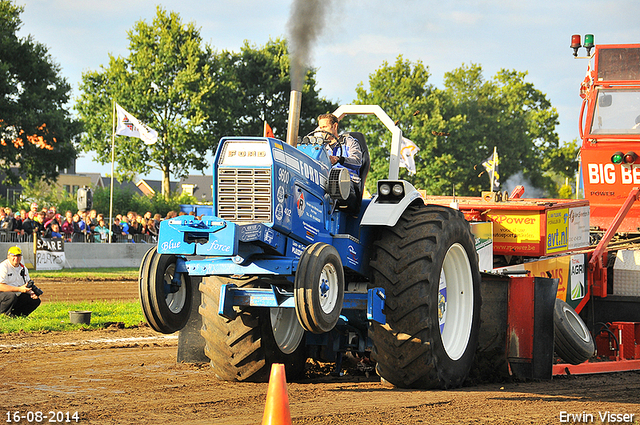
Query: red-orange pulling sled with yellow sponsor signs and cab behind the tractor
column 554, row 237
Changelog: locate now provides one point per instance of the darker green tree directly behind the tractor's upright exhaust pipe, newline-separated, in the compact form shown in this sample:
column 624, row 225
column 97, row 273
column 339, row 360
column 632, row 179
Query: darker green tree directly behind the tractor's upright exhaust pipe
column 262, row 86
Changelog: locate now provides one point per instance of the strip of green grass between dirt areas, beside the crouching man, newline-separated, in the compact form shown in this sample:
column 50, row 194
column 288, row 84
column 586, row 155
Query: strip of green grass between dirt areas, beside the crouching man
column 54, row 316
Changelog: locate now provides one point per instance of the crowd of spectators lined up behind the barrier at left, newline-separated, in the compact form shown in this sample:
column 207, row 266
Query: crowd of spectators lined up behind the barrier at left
column 82, row 226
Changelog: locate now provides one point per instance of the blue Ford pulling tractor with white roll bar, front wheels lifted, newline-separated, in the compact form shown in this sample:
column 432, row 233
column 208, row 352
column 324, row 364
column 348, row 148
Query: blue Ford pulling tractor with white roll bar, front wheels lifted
column 287, row 274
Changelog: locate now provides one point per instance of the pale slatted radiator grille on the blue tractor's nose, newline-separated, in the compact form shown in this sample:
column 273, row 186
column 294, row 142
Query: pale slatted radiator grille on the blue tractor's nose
column 244, row 194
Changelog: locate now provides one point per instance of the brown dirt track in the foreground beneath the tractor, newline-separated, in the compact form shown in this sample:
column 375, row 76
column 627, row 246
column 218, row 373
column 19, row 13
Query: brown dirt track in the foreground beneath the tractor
column 130, row 376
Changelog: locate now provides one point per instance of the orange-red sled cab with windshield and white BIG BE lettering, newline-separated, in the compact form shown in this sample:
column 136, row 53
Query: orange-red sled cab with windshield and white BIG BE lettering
column 610, row 133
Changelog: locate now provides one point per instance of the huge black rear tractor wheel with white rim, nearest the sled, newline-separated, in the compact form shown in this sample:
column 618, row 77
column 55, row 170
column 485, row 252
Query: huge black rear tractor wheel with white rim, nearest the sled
column 428, row 266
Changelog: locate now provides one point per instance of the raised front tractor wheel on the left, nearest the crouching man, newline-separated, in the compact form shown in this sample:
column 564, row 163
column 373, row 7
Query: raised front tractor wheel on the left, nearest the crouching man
column 166, row 303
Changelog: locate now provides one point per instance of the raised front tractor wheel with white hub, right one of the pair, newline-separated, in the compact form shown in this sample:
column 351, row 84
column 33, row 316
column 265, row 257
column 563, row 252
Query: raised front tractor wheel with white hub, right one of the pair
column 319, row 288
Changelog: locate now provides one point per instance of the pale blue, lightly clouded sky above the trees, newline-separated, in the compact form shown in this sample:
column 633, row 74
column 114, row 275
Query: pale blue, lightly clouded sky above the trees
column 359, row 36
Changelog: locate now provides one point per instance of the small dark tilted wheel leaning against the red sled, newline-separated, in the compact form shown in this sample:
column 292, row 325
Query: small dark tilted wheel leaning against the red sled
column 573, row 341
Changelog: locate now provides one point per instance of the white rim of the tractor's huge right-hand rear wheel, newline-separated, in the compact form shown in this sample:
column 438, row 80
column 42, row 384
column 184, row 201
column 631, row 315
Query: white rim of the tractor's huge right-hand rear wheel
column 455, row 301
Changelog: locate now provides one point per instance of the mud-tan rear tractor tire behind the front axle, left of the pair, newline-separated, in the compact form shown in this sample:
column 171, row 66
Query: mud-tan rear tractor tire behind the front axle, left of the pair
column 243, row 349
